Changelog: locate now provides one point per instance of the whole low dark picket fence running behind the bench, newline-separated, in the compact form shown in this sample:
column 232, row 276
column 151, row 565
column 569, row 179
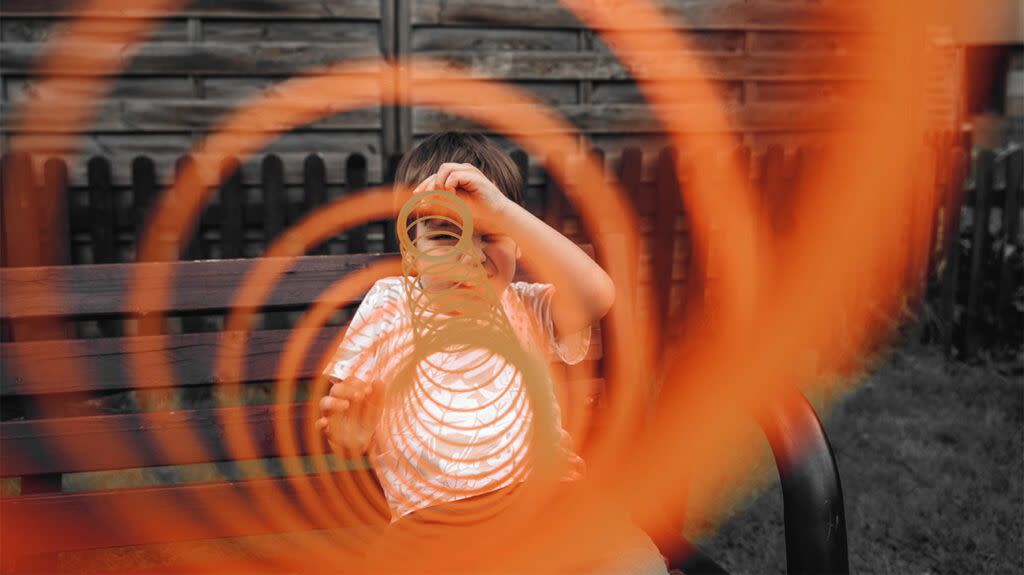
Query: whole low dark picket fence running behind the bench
column 973, row 294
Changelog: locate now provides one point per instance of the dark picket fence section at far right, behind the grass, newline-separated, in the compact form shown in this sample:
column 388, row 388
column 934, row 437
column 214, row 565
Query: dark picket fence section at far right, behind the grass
column 975, row 290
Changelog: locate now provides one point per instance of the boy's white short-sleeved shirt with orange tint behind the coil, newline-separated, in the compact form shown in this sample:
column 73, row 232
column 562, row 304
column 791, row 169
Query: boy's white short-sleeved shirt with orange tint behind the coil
column 464, row 427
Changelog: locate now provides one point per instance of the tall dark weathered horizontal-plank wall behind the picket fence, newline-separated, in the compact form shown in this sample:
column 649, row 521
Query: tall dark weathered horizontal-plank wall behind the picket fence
column 778, row 66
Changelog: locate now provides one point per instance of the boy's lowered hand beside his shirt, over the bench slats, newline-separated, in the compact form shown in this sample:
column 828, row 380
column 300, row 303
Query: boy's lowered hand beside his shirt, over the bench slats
column 351, row 412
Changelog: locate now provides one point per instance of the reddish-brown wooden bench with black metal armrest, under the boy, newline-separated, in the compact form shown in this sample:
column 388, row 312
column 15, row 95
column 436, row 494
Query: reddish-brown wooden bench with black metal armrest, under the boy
column 68, row 530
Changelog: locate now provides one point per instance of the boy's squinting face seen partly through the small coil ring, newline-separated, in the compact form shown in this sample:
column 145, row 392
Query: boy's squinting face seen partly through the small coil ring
column 494, row 252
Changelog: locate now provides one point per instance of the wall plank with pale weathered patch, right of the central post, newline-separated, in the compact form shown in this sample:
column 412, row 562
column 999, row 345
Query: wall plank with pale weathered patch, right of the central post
column 594, row 66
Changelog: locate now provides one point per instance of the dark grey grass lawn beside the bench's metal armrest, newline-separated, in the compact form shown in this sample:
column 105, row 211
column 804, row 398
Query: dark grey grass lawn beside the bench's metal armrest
column 932, row 464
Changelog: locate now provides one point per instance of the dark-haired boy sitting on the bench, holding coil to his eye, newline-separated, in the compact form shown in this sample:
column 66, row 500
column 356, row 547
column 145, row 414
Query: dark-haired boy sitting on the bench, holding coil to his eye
column 470, row 438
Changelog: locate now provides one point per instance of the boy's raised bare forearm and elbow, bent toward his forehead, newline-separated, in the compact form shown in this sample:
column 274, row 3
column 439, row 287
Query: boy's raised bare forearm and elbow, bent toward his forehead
column 585, row 293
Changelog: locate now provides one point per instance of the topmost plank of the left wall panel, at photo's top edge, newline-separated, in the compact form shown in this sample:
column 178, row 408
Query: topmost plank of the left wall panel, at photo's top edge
column 301, row 10
